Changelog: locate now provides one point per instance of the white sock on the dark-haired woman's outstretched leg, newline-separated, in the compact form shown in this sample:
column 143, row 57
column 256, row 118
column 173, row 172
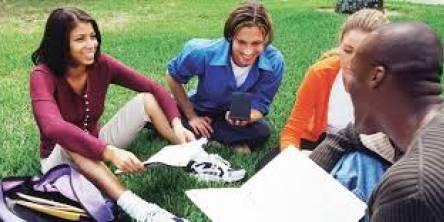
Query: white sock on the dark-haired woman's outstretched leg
column 139, row 209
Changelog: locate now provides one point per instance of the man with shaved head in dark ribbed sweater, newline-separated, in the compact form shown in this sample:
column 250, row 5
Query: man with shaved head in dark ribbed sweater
column 394, row 80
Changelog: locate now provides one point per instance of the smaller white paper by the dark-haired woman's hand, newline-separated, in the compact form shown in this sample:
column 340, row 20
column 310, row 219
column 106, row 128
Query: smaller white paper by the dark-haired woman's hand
column 178, row 155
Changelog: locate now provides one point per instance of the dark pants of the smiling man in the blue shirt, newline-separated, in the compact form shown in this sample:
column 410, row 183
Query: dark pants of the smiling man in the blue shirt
column 253, row 135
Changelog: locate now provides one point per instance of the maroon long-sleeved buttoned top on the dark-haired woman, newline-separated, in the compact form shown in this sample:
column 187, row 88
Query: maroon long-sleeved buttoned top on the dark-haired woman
column 71, row 120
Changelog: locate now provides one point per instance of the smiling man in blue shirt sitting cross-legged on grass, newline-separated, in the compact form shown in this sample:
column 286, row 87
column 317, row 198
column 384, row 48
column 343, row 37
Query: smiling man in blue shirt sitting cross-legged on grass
column 243, row 61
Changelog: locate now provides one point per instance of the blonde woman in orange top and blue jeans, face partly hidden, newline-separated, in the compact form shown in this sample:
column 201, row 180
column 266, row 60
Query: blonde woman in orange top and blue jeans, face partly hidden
column 323, row 106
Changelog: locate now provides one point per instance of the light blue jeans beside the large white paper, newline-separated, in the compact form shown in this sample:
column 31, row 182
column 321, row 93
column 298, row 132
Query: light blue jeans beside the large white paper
column 360, row 172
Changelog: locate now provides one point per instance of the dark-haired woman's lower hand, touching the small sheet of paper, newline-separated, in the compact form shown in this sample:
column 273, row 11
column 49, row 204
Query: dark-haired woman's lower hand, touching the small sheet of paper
column 122, row 159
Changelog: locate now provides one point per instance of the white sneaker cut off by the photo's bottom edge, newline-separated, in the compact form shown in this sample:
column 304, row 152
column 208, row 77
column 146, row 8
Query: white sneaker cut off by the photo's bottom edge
column 154, row 213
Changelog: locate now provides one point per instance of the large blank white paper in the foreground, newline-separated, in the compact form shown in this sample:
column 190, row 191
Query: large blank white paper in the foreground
column 290, row 188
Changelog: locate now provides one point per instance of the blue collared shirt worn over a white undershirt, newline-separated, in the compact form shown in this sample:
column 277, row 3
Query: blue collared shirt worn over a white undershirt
column 209, row 60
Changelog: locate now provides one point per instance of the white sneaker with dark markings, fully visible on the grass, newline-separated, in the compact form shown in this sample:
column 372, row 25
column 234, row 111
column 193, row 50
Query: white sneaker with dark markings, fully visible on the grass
column 212, row 167
